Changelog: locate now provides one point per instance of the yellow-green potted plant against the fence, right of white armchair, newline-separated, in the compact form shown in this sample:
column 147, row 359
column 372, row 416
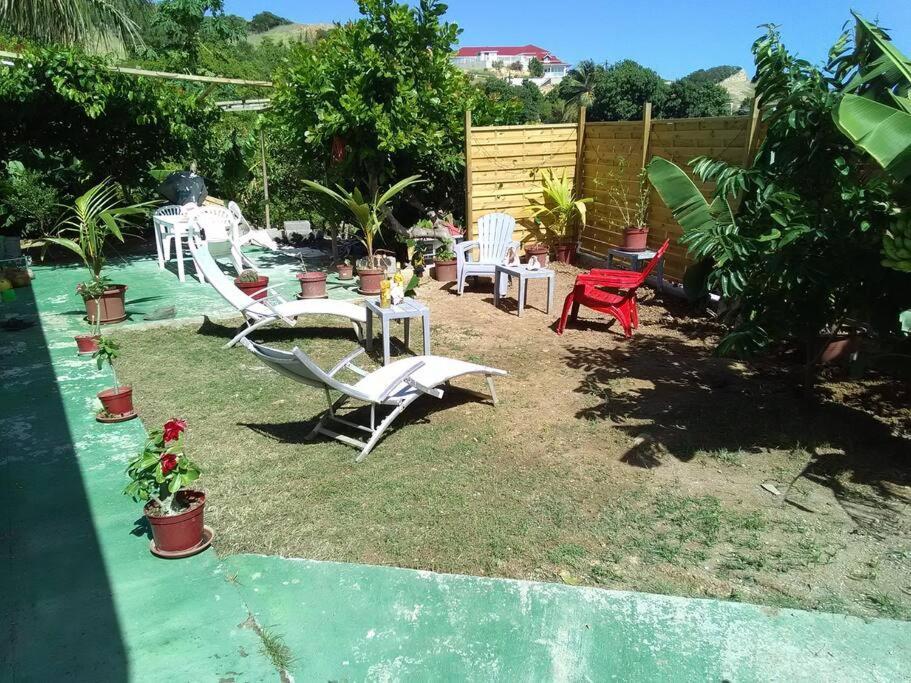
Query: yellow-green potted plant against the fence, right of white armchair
column 555, row 212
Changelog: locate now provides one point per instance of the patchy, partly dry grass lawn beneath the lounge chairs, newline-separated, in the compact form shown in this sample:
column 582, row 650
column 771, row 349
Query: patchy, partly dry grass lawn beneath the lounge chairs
column 625, row 464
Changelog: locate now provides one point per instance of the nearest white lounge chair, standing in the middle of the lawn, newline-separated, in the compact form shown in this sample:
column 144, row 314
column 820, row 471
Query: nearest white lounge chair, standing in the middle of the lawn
column 396, row 386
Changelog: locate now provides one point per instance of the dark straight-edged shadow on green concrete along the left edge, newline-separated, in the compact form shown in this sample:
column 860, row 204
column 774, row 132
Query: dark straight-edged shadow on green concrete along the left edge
column 58, row 617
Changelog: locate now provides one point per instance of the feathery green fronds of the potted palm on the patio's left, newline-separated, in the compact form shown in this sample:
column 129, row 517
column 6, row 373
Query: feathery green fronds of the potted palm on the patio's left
column 93, row 218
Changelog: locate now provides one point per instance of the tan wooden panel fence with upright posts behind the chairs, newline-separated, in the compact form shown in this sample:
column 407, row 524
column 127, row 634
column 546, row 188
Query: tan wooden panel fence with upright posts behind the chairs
column 504, row 163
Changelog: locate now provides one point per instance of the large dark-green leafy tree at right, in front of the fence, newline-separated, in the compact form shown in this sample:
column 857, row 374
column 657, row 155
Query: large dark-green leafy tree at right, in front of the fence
column 801, row 257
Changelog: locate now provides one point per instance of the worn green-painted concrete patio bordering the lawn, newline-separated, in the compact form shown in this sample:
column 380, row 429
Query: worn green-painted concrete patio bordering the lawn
column 83, row 599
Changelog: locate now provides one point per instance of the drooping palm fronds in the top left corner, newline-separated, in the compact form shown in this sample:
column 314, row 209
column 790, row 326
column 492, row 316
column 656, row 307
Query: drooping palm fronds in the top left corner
column 89, row 23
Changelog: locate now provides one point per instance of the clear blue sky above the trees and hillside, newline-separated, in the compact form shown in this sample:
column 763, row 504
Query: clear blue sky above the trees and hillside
column 673, row 37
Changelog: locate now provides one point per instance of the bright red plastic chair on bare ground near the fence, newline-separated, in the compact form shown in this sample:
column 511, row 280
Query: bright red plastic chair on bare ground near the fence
column 609, row 291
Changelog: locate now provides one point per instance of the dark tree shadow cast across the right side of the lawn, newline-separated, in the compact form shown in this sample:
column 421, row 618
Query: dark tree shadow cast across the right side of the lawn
column 675, row 398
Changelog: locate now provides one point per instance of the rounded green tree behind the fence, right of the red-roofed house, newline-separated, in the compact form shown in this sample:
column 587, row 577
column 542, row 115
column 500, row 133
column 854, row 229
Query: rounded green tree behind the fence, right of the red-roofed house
column 623, row 89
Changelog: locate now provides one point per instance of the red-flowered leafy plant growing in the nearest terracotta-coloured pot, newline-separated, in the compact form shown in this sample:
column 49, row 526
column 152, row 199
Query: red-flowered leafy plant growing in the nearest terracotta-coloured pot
column 162, row 469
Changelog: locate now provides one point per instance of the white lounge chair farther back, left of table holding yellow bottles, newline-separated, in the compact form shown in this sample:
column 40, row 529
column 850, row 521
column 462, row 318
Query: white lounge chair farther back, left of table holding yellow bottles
column 259, row 312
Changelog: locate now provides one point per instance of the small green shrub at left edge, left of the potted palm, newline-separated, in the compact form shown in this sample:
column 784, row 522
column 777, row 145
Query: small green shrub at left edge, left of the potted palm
column 29, row 204
